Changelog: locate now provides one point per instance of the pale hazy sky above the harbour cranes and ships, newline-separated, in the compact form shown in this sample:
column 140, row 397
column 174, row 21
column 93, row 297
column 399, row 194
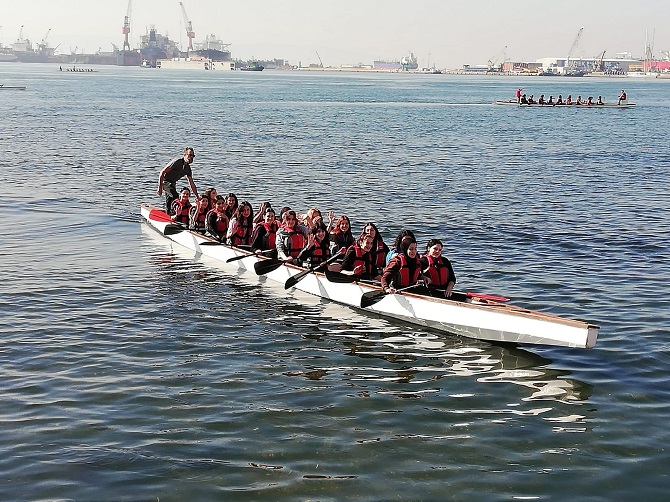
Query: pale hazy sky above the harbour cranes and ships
column 447, row 33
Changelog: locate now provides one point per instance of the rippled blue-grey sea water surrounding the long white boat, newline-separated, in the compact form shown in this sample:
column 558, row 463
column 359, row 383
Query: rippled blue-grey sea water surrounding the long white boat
column 133, row 370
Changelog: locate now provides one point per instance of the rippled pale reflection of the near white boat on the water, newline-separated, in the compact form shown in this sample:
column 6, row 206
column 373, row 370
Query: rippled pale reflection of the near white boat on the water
column 418, row 362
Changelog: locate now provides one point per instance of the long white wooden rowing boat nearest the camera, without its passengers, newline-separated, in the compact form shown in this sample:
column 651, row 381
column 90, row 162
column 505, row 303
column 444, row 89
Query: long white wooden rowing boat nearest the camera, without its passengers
column 474, row 318
